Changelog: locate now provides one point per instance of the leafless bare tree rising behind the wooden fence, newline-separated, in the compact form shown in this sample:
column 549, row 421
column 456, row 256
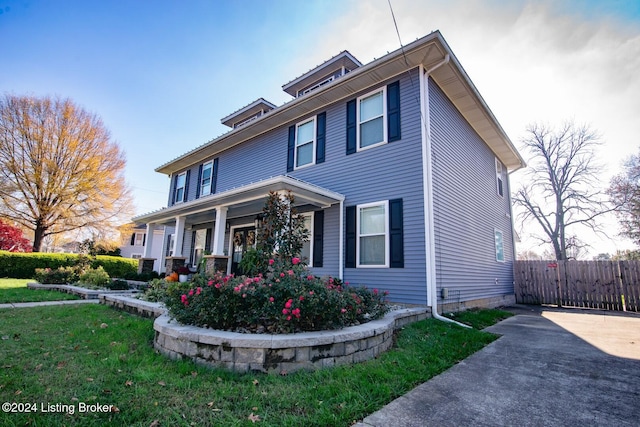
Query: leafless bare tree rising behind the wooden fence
column 562, row 191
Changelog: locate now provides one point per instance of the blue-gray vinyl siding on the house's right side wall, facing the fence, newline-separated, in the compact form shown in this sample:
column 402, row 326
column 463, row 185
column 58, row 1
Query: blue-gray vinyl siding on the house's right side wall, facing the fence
column 467, row 208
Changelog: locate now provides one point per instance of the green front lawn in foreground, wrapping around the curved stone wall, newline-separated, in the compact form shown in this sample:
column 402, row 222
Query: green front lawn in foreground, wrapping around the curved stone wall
column 78, row 355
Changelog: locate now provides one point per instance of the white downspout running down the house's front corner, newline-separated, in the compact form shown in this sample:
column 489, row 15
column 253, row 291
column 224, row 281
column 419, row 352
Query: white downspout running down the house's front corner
column 427, row 182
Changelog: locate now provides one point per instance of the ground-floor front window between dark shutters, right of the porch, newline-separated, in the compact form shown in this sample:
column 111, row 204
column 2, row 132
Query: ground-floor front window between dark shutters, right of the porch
column 372, row 242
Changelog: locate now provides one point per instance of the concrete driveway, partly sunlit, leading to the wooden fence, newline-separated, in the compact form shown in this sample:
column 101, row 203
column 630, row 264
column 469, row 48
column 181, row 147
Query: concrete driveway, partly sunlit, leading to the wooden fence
column 551, row 367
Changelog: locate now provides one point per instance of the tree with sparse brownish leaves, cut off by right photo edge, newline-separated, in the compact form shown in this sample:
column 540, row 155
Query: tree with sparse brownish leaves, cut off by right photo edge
column 625, row 193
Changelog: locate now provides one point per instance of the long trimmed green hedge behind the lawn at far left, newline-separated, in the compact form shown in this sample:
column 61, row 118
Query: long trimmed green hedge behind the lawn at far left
column 23, row 265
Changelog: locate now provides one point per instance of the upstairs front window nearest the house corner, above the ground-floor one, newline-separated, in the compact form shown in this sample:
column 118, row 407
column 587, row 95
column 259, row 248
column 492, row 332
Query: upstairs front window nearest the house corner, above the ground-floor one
column 371, row 118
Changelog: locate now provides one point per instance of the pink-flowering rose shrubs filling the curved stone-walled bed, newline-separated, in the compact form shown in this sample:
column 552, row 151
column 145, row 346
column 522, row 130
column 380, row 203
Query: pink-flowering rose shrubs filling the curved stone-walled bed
column 285, row 299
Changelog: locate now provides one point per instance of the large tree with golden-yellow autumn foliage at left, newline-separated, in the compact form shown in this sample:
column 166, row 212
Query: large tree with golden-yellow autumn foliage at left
column 59, row 169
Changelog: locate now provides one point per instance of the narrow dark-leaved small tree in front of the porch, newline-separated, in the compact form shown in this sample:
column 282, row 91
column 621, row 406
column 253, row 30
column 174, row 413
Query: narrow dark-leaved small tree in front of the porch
column 281, row 231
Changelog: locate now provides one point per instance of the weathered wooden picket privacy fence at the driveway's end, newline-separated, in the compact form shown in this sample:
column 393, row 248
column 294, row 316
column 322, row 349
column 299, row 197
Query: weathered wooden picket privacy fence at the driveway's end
column 608, row 285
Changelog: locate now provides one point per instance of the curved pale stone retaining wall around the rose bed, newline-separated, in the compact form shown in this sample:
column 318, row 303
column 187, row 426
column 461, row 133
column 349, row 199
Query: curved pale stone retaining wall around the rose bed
column 281, row 353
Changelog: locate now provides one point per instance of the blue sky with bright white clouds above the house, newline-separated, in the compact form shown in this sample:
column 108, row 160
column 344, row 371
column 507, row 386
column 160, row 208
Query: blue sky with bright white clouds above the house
column 161, row 74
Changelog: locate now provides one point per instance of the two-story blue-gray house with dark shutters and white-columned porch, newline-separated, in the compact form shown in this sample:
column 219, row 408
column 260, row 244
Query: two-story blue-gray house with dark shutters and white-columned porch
column 398, row 165
